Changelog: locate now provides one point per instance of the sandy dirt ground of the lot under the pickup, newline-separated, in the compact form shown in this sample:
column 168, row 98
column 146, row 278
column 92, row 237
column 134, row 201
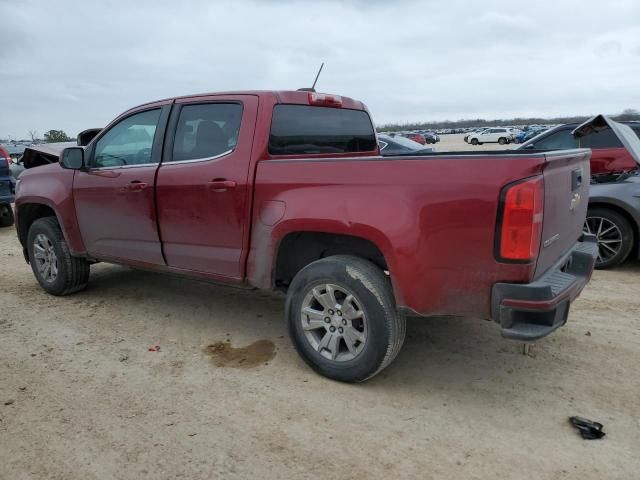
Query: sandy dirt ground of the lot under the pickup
column 82, row 397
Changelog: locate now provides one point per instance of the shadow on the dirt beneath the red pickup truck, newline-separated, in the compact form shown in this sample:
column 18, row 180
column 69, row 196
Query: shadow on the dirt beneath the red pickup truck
column 445, row 353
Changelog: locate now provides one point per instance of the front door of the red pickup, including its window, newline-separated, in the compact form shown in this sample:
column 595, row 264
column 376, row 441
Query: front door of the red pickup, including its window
column 115, row 197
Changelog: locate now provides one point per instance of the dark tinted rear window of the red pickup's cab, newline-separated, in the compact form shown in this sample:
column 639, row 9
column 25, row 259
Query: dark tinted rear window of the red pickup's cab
column 302, row 129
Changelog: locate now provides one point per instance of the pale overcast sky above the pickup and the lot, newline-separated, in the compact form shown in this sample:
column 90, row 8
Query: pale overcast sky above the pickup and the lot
column 73, row 65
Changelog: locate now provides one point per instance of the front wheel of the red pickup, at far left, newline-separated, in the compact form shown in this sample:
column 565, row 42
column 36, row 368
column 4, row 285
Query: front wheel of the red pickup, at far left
column 45, row 241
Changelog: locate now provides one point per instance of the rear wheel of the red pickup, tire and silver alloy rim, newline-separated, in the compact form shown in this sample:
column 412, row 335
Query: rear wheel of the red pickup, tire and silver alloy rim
column 380, row 328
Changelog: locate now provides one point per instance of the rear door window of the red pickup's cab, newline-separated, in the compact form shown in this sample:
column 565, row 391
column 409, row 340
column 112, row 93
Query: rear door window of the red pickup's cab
column 206, row 130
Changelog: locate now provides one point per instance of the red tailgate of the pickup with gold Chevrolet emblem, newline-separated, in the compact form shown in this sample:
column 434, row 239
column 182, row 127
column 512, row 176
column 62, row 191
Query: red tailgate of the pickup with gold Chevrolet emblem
column 566, row 197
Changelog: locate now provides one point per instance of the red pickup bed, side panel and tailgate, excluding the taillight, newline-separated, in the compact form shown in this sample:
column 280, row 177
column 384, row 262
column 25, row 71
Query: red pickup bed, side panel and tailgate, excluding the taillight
column 433, row 216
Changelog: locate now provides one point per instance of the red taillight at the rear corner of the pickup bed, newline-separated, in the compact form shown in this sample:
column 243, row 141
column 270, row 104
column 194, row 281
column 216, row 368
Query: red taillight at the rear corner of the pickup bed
column 520, row 220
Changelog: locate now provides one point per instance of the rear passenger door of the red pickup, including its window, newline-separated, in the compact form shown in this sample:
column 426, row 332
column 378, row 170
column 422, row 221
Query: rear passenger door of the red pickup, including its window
column 203, row 185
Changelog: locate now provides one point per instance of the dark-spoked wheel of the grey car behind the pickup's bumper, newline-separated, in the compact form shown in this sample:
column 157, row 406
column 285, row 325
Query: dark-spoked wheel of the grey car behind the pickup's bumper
column 615, row 236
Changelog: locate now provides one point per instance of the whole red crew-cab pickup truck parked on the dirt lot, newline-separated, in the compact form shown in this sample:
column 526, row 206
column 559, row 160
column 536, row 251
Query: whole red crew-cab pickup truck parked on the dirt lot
column 287, row 191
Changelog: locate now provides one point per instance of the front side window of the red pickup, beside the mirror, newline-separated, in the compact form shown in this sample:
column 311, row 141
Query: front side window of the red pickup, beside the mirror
column 129, row 142
